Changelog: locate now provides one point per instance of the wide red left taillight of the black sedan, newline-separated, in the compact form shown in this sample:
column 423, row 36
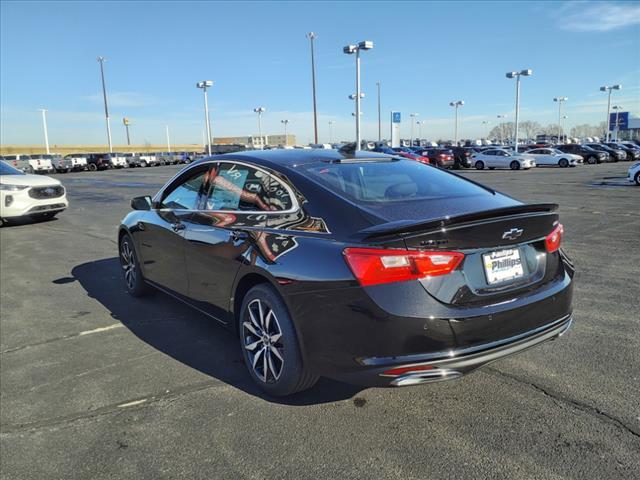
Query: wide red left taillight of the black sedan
column 373, row 266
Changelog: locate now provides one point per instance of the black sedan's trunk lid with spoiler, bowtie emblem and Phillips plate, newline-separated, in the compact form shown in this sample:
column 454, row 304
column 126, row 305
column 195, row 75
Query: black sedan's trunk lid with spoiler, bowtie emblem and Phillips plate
column 504, row 251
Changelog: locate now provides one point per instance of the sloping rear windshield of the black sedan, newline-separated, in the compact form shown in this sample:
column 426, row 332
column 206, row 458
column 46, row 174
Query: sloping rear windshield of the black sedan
column 391, row 181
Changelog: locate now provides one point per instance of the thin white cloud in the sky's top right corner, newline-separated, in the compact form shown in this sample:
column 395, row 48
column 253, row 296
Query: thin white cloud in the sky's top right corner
column 597, row 17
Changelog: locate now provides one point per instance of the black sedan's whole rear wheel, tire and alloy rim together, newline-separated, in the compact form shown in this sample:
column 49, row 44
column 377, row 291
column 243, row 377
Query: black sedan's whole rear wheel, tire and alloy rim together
column 278, row 370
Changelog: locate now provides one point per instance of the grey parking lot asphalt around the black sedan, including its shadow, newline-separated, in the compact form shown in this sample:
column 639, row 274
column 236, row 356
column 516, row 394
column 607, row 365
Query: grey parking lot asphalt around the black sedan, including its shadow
column 97, row 384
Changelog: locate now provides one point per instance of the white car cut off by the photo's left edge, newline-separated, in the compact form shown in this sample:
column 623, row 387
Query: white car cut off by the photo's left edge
column 25, row 195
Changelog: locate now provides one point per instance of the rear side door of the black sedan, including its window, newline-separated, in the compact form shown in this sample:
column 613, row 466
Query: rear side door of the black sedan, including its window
column 227, row 230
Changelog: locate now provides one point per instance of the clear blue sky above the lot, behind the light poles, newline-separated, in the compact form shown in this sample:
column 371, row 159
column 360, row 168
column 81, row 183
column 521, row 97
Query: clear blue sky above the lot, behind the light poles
column 426, row 54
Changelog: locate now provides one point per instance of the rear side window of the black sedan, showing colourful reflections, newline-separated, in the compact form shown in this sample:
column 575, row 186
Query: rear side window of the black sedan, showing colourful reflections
column 240, row 187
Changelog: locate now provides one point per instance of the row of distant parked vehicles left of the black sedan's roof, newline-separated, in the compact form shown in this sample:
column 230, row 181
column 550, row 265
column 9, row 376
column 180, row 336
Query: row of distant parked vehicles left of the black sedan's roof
column 95, row 161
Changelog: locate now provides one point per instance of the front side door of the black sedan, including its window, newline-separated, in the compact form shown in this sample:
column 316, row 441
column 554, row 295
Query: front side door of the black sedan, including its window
column 160, row 232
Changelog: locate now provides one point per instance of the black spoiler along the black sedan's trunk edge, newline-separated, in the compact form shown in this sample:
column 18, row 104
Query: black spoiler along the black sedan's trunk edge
column 405, row 227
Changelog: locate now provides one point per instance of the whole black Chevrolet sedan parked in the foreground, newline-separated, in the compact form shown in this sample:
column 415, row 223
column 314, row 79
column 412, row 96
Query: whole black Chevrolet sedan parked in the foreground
column 366, row 268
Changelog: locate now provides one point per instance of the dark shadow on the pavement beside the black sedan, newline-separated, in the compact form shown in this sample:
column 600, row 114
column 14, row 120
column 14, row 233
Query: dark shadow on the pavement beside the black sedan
column 185, row 334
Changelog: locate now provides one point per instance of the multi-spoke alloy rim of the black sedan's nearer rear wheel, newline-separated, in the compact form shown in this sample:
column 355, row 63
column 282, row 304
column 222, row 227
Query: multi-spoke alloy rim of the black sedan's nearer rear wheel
column 262, row 340
